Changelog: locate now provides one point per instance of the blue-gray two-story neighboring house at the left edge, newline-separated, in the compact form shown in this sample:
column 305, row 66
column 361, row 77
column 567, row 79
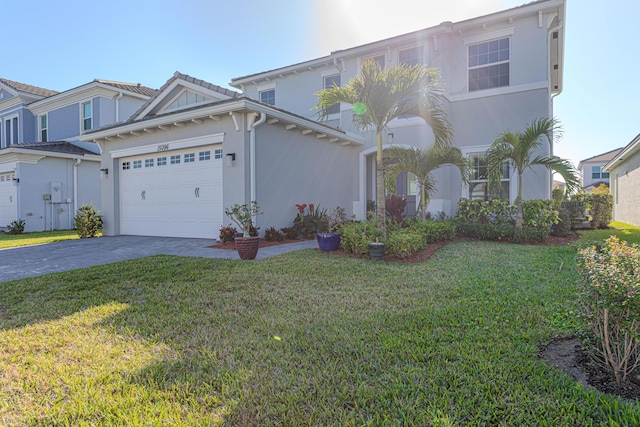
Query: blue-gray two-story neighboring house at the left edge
column 46, row 172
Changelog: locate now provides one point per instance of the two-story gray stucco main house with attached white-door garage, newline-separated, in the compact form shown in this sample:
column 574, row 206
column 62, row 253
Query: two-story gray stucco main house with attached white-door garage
column 500, row 71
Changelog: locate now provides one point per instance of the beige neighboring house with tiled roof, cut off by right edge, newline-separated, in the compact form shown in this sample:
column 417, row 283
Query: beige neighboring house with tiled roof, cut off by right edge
column 624, row 169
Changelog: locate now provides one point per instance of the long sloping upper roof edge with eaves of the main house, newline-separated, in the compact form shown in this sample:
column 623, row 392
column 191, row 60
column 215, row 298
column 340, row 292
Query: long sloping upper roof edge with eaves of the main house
column 446, row 27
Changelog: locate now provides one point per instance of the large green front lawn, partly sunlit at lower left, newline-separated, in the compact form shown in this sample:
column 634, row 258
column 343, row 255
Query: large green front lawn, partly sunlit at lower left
column 301, row 339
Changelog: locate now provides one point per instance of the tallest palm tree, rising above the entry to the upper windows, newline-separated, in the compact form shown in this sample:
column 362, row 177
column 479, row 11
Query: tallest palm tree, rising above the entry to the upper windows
column 378, row 96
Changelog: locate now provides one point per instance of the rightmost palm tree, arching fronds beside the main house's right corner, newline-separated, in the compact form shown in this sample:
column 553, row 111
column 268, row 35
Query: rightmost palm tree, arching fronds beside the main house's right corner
column 518, row 148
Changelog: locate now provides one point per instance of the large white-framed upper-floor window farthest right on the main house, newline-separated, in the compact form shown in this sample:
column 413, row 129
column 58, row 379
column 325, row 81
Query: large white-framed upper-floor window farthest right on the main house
column 489, row 65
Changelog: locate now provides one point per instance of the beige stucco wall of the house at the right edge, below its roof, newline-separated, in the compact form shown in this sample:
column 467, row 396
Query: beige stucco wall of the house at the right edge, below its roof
column 625, row 187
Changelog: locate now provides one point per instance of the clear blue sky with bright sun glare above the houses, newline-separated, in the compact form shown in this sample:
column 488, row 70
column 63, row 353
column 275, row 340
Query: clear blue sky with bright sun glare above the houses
column 61, row 45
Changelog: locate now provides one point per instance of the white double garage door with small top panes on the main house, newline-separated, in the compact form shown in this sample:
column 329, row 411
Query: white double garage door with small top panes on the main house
column 174, row 193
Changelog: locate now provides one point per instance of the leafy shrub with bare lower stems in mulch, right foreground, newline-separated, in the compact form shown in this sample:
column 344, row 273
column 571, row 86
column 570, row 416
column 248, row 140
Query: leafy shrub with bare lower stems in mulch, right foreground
column 610, row 301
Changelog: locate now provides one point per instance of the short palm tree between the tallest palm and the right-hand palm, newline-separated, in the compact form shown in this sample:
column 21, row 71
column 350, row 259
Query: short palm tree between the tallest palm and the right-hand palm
column 422, row 163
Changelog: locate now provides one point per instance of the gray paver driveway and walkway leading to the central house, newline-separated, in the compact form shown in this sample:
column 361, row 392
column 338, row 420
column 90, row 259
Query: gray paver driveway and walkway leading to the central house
column 31, row 261
